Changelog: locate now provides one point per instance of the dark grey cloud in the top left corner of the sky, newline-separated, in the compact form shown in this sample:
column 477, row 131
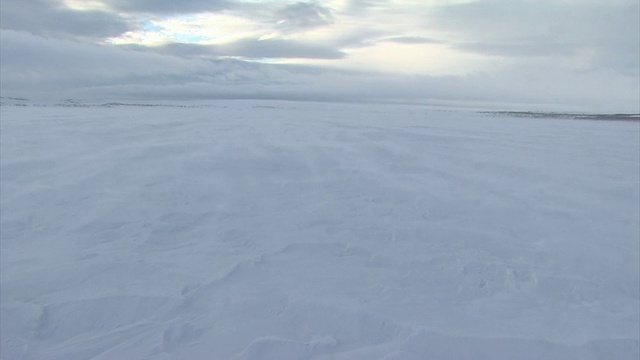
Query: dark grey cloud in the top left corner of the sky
column 46, row 17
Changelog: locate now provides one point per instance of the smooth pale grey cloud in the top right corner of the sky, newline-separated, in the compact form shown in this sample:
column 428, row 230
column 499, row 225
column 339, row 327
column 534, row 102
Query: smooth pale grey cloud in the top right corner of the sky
column 607, row 32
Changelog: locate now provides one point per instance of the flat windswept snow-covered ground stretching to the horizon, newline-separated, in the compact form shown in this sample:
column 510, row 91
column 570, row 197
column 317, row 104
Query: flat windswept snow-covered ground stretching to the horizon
column 267, row 230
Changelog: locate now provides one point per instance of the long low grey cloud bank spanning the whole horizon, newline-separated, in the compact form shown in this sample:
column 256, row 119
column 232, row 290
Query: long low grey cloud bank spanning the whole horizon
column 104, row 73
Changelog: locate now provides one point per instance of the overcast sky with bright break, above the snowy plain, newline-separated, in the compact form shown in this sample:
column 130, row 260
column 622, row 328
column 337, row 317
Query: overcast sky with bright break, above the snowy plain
column 544, row 54
